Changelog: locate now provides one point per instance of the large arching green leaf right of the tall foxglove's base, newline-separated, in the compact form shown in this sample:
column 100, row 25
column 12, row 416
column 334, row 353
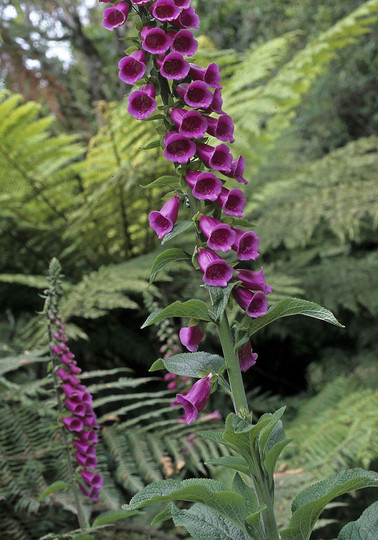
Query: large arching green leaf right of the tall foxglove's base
column 309, row 504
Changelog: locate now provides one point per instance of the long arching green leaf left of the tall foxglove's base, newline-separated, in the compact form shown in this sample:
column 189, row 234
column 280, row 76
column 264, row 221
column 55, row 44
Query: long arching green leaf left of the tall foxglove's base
column 213, row 494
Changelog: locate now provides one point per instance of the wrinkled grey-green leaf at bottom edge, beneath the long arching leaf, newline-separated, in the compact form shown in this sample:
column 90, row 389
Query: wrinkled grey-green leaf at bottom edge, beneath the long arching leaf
column 203, row 523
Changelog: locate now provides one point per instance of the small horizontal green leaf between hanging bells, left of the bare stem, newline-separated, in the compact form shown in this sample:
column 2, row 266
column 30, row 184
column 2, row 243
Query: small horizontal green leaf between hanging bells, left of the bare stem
column 194, row 364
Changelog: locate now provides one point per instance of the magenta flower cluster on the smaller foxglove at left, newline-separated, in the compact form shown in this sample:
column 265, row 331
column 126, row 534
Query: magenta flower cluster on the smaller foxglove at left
column 81, row 421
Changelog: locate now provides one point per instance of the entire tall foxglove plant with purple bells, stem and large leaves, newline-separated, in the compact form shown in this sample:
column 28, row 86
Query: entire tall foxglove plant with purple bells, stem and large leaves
column 195, row 135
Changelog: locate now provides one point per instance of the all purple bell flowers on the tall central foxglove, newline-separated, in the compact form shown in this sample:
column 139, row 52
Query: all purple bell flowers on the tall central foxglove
column 192, row 103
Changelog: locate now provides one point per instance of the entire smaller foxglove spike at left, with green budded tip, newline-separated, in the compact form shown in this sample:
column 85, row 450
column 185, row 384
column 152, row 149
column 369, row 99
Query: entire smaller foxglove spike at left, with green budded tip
column 76, row 415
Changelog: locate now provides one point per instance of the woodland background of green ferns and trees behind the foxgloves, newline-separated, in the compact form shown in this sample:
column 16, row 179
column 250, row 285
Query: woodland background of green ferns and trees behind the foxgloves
column 300, row 81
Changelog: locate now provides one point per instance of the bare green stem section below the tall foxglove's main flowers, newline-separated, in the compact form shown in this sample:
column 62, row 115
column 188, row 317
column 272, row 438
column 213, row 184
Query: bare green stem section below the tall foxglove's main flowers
column 234, row 374
